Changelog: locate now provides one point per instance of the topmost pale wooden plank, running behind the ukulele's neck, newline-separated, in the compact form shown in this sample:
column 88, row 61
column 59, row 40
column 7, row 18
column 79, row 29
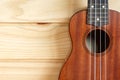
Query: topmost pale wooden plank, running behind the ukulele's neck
column 43, row 10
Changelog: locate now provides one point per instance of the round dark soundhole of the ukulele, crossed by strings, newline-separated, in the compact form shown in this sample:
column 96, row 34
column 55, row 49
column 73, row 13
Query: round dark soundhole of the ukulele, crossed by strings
column 97, row 41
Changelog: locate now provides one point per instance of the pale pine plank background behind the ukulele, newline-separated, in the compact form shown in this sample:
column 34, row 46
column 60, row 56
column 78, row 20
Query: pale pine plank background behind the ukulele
column 34, row 37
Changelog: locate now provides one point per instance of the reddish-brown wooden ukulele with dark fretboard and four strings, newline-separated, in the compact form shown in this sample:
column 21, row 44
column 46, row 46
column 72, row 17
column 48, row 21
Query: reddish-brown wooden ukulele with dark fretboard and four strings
column 95, row 35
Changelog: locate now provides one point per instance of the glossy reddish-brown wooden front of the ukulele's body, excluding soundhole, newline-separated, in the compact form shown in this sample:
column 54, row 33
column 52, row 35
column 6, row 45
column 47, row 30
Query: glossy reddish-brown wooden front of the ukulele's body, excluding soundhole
column 81, row 65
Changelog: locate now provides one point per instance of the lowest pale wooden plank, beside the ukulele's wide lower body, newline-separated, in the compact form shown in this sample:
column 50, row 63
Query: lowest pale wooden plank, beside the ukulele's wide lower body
column 30, row 70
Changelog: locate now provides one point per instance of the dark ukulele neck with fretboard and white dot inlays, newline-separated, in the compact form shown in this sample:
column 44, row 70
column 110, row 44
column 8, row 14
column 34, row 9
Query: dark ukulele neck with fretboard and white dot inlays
column 97, row 13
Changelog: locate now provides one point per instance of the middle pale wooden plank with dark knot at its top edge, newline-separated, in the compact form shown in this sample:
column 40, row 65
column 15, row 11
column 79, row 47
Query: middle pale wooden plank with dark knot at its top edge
column 34, row 41
